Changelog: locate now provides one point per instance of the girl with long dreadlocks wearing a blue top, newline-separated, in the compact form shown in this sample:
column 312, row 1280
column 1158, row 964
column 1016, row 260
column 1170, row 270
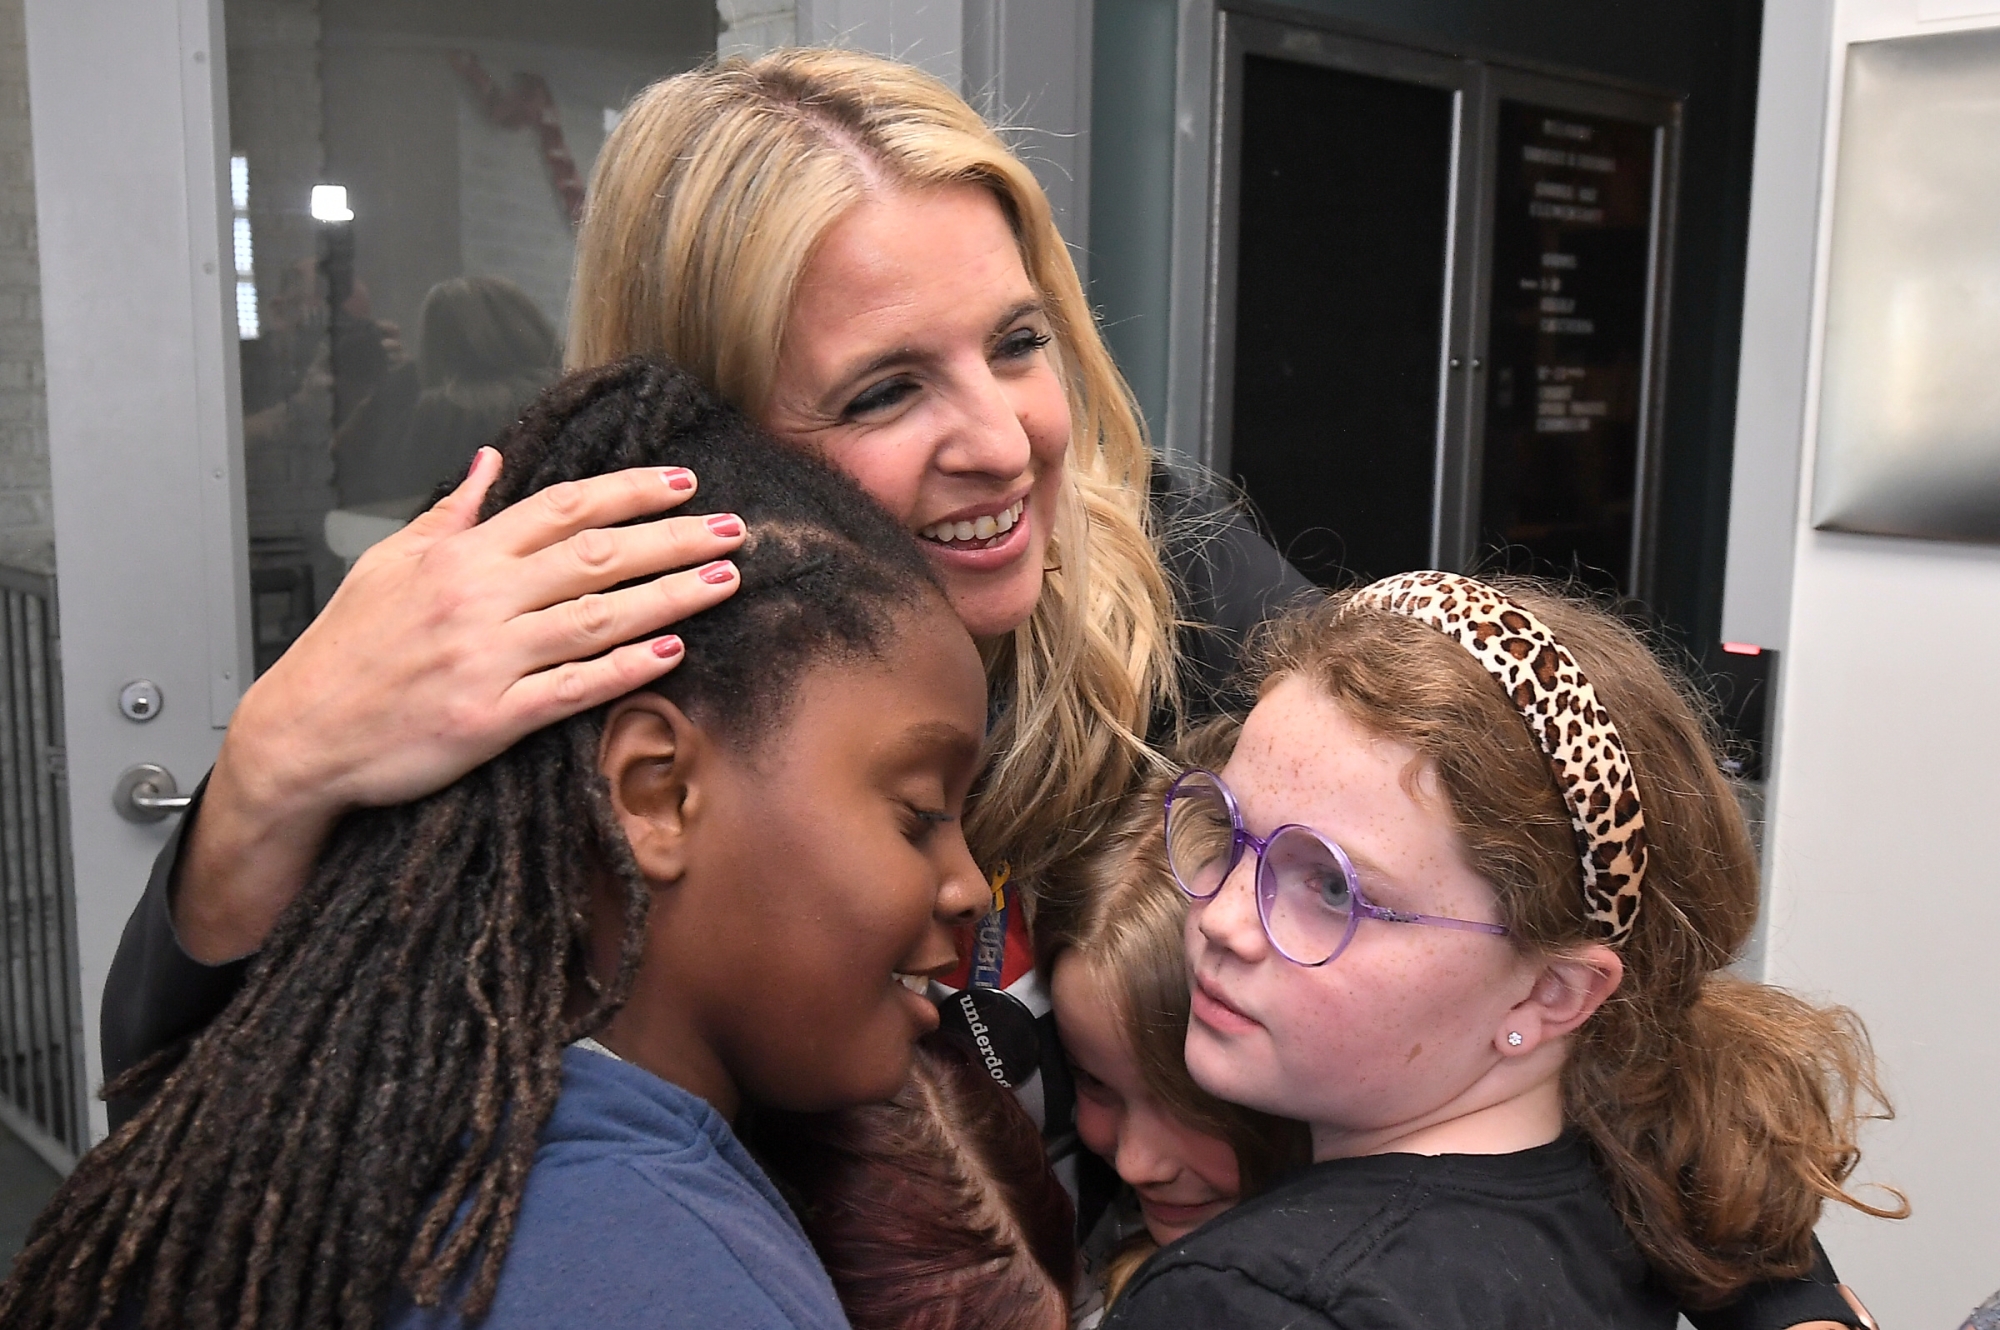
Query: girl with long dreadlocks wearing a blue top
column 487, row 1063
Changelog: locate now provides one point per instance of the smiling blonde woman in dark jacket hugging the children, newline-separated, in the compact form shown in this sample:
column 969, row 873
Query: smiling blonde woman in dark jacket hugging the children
column 847, row 253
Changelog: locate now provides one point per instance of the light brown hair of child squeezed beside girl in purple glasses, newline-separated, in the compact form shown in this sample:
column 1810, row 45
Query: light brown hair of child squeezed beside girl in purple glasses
column 1123, row 917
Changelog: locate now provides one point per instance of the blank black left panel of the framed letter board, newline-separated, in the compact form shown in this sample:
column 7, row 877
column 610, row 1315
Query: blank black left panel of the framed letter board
column 1341, row 283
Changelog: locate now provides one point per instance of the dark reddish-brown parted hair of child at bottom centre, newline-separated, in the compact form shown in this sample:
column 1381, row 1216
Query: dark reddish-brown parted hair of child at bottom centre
column 935, row 1211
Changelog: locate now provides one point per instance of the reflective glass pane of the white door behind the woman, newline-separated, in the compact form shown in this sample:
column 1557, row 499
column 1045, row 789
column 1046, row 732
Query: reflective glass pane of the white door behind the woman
column 387, row 339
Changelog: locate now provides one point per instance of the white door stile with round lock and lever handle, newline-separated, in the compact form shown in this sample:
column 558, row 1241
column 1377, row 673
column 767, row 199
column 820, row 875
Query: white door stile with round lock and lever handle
column 145, row 425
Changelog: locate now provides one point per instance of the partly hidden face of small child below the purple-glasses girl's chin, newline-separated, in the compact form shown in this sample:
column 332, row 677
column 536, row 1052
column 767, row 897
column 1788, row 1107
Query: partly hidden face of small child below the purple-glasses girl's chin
column 1183, row 1177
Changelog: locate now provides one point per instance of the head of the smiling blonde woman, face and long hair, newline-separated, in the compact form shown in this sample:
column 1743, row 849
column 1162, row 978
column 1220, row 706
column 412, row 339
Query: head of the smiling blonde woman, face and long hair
column 853, row 257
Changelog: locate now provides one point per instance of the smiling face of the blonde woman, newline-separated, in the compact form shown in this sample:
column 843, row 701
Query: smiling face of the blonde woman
column 917, row 359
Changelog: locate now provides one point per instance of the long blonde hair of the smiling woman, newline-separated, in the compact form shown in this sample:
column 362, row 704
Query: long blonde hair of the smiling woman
column 705, row 211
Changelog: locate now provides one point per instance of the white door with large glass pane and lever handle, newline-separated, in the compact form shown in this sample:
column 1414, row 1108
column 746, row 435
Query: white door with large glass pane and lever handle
column 299, row 259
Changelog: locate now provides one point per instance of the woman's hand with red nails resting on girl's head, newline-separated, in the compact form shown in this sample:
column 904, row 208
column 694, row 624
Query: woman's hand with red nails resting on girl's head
column 443, row 647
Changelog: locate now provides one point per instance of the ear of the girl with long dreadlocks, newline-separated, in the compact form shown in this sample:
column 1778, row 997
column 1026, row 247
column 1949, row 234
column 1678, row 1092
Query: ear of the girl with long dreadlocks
column 651, row 759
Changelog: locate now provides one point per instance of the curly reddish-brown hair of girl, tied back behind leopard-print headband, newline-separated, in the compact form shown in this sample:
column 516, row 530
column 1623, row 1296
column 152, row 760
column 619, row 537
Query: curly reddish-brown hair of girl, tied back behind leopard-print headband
column 1723, row 1113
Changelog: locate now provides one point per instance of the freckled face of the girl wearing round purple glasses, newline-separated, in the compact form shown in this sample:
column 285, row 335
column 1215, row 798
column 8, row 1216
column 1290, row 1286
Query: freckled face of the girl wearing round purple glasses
column 1399, row 1031
